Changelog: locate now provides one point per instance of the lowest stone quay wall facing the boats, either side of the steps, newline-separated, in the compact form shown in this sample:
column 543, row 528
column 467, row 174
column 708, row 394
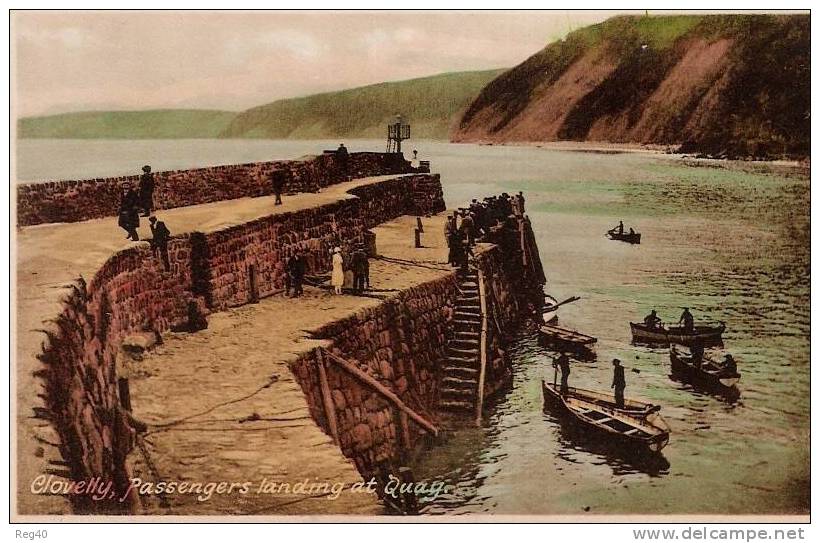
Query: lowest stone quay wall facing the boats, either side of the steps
column 401, row 343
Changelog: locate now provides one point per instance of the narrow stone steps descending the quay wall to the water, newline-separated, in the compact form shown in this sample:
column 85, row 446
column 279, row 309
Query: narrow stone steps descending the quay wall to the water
column 458, row 392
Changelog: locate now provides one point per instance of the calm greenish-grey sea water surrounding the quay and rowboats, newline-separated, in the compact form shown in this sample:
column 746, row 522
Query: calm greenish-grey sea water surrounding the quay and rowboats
column 731, row 245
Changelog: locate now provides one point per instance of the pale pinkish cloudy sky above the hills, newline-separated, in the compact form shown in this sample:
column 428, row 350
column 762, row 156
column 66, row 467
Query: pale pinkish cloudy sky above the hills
column 234, row 60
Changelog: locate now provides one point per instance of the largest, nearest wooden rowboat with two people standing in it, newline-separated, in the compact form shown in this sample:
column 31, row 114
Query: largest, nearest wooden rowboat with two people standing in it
column 638, row 433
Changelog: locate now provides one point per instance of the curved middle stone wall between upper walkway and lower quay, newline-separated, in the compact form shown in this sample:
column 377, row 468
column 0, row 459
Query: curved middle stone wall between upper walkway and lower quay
column 132, row 293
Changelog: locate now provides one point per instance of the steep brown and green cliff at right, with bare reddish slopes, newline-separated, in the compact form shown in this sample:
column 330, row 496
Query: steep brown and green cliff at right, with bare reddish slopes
column 721, row 85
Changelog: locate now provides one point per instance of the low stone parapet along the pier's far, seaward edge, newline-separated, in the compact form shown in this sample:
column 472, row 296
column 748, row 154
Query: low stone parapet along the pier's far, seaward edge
column 80, row 200
